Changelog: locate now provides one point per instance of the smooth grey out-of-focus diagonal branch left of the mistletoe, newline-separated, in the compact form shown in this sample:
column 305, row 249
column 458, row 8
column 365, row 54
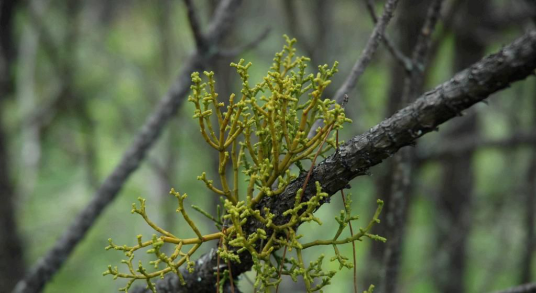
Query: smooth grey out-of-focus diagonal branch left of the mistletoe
column 47, row 266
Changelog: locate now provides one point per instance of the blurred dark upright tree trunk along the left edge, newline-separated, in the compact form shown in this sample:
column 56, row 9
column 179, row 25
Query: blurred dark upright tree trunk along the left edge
column 11, row 248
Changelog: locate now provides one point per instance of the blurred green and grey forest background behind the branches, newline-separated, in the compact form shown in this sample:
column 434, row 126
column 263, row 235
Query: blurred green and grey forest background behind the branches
column 78, row 78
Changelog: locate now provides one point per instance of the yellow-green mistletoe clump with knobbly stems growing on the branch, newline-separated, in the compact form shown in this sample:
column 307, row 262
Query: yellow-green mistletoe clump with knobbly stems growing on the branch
column 261, row 134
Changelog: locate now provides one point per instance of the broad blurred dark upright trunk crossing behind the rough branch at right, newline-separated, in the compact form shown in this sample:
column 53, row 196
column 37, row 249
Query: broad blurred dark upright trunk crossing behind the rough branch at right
column 454, row 200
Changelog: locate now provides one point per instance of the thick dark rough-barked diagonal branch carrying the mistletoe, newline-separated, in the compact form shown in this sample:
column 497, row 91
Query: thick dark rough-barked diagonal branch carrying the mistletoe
column 514, row 62
